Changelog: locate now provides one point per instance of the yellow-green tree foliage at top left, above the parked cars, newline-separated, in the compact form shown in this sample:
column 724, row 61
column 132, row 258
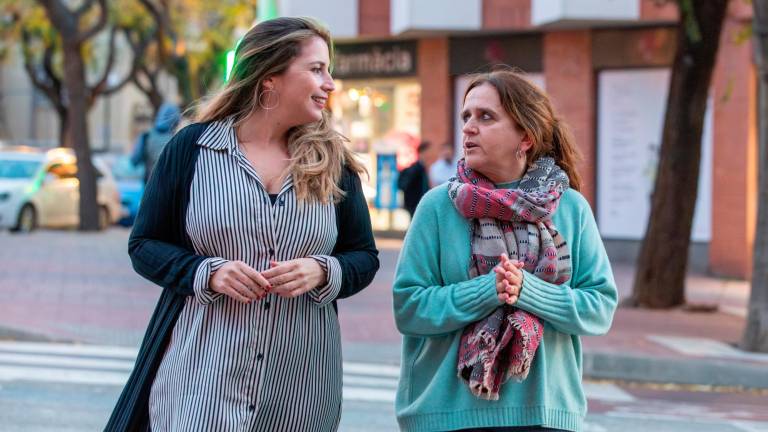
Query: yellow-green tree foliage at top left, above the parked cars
column 192, row 47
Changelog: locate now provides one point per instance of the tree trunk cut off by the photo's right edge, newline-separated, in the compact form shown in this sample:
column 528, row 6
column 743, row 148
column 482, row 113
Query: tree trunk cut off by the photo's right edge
column 756, row 332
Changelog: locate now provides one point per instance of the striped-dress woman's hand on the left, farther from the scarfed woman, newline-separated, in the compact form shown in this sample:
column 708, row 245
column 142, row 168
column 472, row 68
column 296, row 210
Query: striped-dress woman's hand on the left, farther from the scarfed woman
column 240, row 281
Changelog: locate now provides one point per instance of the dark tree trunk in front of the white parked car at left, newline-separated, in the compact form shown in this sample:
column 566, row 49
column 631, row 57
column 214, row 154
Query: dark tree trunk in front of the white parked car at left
column 74, row 79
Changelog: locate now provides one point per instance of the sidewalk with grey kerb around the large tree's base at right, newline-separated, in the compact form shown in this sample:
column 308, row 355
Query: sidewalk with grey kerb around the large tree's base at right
column 678, row 346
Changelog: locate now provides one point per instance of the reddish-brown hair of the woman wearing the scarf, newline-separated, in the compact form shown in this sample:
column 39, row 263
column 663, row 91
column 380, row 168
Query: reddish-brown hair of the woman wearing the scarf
column 532, row 113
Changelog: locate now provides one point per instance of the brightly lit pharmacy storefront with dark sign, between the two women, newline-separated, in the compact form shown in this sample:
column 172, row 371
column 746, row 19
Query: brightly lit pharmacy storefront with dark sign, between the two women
column 377, row 105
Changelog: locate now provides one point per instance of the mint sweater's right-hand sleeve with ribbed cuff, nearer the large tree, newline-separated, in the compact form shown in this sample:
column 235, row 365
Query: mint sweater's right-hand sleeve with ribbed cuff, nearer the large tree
column 587, row 304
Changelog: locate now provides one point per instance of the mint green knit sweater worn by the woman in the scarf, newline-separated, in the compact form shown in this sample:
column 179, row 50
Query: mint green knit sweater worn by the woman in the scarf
column 434, row 300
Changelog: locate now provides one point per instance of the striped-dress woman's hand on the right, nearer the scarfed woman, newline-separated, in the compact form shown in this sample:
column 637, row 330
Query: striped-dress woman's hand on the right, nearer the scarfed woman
column 294, row 277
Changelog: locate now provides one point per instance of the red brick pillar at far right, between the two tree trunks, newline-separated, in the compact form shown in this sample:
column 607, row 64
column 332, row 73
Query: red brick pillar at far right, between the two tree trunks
column 734, row 177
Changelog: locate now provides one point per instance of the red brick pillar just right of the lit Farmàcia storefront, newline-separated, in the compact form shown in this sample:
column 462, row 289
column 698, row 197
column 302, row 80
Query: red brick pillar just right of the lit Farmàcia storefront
column 436, row 101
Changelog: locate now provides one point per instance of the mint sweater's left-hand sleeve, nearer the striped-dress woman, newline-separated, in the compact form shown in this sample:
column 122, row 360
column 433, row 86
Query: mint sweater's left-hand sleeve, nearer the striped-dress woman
column 423, row 304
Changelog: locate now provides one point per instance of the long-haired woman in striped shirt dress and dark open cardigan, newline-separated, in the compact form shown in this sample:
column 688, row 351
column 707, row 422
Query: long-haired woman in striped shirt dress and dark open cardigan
column 257, row 227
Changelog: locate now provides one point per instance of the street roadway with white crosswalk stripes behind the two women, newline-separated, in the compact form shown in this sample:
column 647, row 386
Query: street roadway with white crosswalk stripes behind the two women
column 64, row 387
